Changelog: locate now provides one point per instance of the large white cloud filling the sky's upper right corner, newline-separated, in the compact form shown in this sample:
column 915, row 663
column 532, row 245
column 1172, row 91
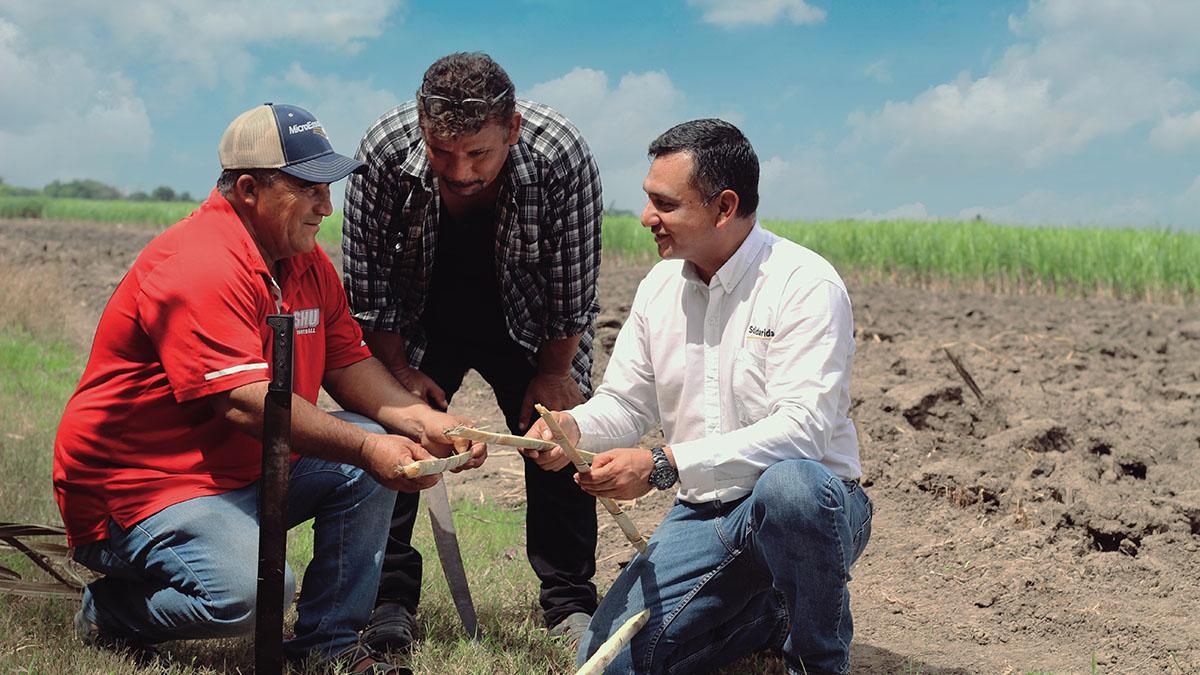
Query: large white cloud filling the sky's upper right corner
column 1088, row 70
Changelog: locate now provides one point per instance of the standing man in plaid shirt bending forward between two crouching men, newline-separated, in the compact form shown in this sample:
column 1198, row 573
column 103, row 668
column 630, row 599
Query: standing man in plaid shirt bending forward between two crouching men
column 473, row 242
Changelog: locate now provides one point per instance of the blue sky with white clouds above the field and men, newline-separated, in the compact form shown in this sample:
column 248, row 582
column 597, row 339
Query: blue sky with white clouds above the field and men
column 1036, row 112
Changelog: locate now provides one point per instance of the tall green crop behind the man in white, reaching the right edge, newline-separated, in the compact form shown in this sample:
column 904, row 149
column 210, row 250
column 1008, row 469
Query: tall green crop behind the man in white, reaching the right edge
column 1136, row 265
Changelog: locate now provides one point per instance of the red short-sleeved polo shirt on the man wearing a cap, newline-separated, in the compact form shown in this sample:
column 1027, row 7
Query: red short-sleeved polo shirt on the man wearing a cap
column 188, row 321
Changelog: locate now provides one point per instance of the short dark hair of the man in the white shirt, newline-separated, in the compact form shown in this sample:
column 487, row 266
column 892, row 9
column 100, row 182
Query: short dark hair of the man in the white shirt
column 722, row 159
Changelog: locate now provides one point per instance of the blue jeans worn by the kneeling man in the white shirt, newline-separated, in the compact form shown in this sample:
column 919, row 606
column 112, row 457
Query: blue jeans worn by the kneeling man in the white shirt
column 723, row 581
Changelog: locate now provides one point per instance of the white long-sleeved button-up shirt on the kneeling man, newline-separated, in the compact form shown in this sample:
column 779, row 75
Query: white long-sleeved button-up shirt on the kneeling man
column 745, row 372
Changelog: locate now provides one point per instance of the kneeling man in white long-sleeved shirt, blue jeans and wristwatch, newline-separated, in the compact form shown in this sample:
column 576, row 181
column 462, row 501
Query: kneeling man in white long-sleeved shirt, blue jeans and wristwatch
column 741, row 343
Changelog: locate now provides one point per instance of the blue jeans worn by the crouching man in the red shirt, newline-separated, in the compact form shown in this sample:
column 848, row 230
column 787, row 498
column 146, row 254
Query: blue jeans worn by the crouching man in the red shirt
column 190, row 571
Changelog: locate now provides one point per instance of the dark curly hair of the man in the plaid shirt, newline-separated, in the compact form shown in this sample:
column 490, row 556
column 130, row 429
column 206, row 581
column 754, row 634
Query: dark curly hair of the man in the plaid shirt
column 466, row 76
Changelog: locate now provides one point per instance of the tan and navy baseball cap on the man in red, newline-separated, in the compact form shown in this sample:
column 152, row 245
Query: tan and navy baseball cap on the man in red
column 285, row 138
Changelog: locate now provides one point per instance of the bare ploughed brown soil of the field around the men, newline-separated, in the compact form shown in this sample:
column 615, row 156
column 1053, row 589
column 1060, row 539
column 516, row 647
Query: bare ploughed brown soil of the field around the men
column 1052, row 524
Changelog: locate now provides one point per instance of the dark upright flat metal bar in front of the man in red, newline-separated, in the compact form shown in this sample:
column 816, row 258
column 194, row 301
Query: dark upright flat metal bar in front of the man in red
column 273, row 500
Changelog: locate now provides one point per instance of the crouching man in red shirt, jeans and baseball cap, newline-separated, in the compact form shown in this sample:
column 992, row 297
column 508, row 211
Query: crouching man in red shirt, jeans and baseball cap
column 159, row 452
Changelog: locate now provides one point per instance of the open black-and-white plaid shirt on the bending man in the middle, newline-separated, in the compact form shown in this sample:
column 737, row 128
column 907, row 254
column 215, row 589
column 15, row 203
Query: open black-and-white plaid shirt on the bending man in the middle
column 548, row 240
